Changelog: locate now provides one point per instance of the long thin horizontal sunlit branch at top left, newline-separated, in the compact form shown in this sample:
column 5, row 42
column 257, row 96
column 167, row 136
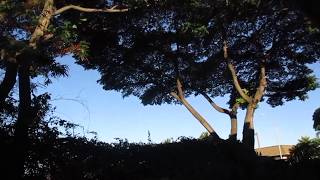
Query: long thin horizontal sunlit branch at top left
column 89, row 10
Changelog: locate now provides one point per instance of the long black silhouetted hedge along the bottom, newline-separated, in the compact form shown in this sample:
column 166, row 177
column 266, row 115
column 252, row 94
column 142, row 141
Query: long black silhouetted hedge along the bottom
column 54, row 157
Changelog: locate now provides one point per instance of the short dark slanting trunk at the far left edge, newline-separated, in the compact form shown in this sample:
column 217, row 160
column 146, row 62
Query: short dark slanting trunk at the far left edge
column 8, row 82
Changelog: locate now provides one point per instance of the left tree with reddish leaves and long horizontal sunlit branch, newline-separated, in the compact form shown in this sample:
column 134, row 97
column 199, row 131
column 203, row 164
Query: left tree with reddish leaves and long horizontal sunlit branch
column 36, row 34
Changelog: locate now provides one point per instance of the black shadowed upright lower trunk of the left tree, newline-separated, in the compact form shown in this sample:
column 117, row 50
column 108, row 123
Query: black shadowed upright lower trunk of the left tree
column 24, row 120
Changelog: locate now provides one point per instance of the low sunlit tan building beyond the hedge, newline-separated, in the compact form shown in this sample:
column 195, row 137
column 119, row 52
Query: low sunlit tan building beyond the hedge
column 278, row 152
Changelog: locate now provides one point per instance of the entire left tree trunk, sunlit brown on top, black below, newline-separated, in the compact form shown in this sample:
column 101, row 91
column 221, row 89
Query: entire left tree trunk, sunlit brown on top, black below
column 24, row 113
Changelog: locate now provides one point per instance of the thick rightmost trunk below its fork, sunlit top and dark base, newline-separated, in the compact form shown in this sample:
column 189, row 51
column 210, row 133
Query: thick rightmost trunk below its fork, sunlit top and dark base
column 248, row 129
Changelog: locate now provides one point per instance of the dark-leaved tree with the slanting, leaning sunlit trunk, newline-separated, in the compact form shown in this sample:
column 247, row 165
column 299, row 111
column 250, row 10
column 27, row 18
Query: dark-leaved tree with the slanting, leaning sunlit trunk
column 154, row 55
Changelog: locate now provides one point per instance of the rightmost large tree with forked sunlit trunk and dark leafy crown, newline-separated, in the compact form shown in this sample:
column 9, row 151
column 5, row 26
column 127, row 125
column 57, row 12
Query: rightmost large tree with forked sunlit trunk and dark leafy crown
column 269, row 58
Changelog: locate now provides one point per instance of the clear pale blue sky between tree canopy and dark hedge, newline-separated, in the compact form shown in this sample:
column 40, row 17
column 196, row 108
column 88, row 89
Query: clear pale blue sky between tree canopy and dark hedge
column 111, row 116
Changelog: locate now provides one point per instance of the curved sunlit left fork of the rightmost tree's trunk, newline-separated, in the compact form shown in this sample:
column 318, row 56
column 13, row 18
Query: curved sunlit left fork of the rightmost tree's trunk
column 234, row 74
